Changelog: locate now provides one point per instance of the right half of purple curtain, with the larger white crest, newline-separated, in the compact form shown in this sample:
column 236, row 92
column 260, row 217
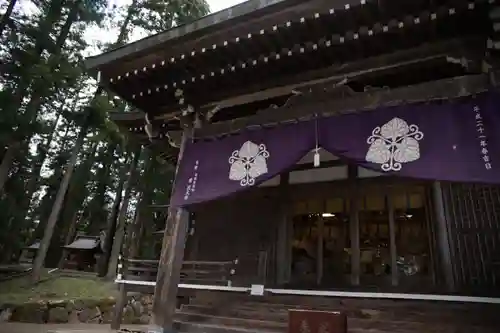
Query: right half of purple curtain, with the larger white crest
column 454, row 140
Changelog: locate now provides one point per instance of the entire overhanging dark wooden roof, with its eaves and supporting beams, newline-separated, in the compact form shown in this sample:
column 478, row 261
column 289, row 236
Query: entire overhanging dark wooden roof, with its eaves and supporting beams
column 254, row 57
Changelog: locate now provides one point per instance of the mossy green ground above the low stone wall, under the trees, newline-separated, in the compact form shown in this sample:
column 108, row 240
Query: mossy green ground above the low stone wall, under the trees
column 54, row 287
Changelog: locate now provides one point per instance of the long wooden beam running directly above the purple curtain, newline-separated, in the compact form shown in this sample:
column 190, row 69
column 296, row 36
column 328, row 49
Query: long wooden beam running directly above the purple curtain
column 307, row 107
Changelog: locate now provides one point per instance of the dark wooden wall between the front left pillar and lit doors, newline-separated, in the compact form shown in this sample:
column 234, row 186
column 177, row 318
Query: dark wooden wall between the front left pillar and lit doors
column 240, row 227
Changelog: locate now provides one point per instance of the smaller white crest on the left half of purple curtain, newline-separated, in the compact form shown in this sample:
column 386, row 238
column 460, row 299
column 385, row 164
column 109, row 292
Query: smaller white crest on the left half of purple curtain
column 248, row 163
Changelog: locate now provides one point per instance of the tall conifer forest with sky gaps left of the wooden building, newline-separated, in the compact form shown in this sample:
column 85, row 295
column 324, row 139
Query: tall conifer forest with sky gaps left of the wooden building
column 65, row 168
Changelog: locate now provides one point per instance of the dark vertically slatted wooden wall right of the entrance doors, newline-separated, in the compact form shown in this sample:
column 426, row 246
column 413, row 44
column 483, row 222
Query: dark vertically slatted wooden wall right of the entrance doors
column 473, row 220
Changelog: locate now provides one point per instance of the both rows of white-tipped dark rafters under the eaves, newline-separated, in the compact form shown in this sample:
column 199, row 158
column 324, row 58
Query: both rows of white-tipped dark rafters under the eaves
column 309, row 42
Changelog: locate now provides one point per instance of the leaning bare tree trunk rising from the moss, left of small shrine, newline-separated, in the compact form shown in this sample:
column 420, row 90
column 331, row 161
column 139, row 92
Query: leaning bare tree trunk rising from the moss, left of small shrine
column 56, row 208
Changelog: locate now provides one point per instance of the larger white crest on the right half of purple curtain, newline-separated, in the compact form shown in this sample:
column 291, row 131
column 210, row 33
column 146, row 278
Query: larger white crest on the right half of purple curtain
column 393, row 144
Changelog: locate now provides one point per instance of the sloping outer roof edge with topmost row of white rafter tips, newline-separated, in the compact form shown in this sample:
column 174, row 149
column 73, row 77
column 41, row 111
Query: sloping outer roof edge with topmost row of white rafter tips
column 251, row 18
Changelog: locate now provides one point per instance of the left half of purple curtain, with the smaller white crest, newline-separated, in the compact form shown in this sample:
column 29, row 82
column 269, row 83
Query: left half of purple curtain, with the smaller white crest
column 213, row 169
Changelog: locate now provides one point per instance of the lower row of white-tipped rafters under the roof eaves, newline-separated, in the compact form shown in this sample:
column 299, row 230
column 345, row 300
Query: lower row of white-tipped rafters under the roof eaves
column 281, row 55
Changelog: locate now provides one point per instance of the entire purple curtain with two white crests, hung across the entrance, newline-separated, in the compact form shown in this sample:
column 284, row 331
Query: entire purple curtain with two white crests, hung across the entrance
column 453, row 140
